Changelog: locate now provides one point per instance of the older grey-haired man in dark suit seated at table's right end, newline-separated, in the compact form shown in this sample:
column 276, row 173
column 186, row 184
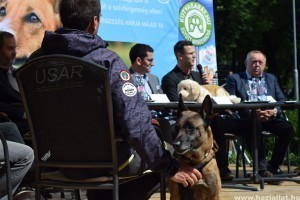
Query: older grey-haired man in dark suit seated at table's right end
column 270, row 120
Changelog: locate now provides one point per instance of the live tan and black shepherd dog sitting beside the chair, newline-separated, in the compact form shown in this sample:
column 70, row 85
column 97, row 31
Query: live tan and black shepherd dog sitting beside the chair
column 195, row 145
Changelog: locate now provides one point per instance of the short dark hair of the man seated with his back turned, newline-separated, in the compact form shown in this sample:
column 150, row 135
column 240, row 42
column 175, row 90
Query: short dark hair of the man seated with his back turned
column 77, row 14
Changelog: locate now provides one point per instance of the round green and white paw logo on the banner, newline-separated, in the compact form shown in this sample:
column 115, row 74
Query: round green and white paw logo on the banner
column 195, row 23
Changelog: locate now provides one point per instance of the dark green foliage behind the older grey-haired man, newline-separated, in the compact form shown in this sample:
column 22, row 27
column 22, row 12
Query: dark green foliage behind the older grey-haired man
column 266, row 25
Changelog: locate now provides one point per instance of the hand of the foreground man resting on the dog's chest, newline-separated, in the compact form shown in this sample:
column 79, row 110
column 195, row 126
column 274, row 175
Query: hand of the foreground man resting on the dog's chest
column 187, row 175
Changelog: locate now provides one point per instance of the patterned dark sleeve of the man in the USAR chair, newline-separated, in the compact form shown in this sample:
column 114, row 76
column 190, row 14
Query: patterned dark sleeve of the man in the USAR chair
column 133, row 121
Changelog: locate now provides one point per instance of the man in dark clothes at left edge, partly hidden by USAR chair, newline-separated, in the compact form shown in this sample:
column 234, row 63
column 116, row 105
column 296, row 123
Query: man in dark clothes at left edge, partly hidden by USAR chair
column 9, row 91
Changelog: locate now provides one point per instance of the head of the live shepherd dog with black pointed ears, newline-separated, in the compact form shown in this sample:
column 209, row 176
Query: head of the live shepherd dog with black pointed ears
column 195, row 138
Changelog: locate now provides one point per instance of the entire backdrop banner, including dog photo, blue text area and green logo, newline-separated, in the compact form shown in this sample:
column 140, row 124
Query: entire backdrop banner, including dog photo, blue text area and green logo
column 123, row 23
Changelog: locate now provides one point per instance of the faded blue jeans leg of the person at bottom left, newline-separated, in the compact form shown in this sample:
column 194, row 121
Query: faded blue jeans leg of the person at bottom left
column 21, row 157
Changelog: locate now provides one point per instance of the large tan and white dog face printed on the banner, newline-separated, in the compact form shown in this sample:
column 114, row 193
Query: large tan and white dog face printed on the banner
column 28, row 20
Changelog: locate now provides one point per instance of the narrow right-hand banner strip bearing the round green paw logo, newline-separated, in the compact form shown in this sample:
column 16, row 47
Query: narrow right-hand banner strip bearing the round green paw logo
column 196, row 24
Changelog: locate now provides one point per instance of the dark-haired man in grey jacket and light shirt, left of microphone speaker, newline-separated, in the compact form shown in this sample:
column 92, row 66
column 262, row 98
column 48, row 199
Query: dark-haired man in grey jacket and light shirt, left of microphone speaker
column 141, row 57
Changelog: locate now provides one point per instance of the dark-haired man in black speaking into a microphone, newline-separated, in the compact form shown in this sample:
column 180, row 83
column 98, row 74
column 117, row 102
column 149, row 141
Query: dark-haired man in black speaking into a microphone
column 185, row 56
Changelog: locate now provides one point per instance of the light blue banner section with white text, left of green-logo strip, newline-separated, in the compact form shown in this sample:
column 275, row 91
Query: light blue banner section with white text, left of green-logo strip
column 152, row 22
